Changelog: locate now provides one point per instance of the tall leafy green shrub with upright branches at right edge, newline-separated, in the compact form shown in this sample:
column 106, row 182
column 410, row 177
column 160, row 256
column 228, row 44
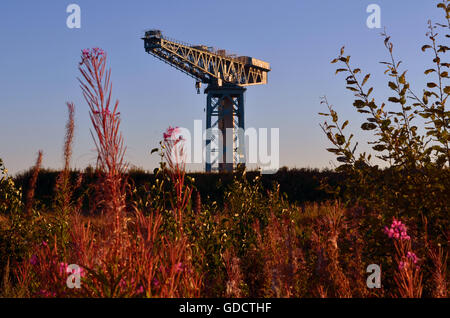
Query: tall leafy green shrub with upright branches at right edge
column 411, row 139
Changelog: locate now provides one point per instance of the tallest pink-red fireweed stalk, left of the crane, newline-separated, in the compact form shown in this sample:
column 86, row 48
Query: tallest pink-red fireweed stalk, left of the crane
column 105, row 118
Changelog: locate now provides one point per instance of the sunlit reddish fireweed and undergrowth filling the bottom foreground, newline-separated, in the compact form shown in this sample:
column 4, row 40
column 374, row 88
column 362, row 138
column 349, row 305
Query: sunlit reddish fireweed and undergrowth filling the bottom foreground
column 256, row 246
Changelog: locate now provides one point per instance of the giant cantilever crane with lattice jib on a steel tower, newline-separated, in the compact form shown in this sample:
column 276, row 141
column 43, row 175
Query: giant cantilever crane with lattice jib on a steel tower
column 227, row 77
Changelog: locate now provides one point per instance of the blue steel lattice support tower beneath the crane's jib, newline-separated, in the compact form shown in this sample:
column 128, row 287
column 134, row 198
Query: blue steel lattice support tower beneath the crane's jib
column 225, row 144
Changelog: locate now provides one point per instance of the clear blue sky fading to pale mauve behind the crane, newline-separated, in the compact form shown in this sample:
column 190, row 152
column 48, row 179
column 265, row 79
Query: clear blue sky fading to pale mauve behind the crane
column 39, row 57
